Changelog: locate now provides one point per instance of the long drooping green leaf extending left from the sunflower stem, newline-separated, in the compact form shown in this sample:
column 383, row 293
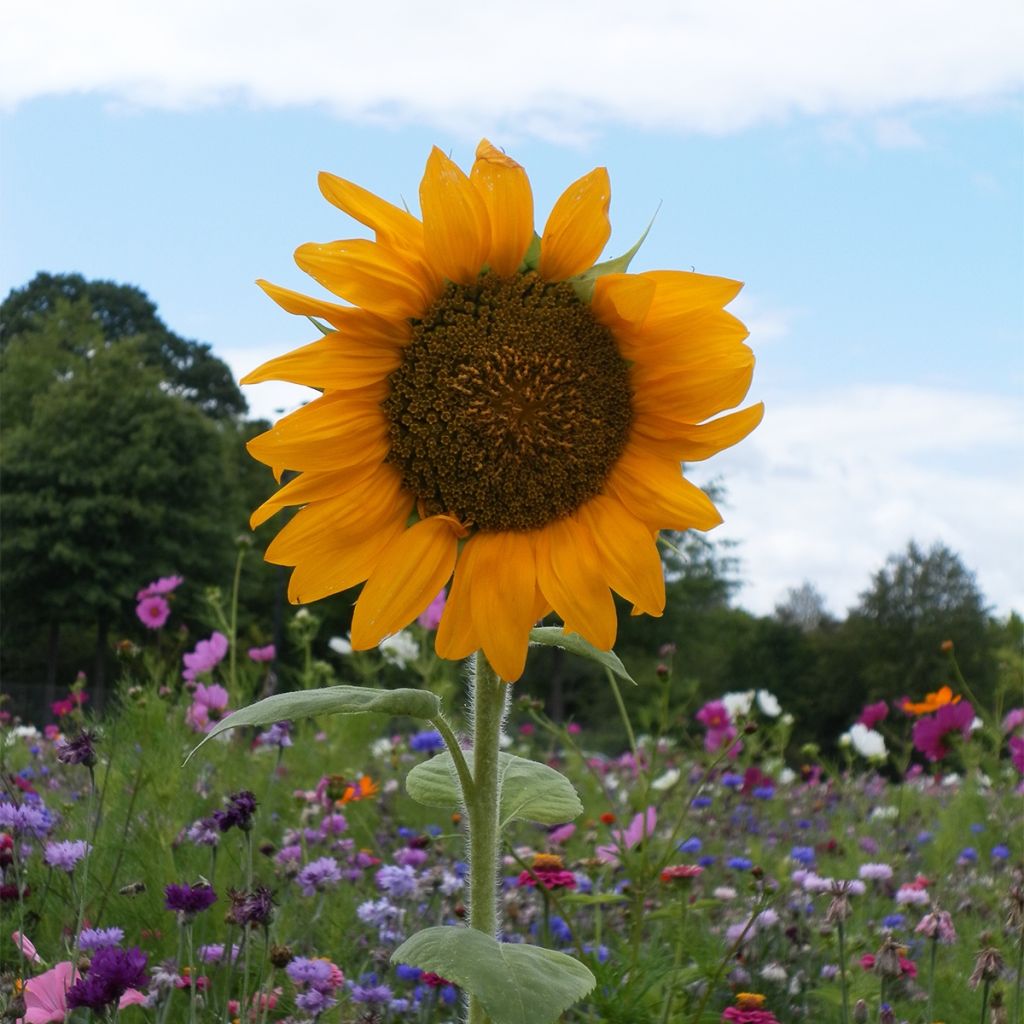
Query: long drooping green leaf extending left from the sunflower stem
column 330, row 701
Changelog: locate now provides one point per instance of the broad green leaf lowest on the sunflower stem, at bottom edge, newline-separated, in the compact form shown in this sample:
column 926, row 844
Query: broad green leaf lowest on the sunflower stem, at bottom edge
column 516, row 984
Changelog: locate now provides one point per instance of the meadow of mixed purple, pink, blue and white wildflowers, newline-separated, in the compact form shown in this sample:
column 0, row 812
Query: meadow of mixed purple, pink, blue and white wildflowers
column 714, row 873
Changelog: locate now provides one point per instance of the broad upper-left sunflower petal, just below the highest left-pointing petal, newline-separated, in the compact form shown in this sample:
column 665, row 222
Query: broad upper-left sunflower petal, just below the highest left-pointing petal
column 369, row 276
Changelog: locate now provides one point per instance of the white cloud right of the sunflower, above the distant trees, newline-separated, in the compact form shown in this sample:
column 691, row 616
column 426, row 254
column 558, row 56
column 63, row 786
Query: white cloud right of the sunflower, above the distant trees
column 832, row 485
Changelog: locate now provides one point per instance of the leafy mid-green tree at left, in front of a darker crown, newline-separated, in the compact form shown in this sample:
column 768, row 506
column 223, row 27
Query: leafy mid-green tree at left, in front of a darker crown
column 108, row 481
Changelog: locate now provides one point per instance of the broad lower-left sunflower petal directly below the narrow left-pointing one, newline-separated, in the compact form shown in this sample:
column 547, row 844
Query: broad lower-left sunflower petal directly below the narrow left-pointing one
column 332, row 525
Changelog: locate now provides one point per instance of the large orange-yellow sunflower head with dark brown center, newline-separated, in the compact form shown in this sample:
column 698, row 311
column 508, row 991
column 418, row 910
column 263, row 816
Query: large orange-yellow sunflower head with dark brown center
column 497, row 411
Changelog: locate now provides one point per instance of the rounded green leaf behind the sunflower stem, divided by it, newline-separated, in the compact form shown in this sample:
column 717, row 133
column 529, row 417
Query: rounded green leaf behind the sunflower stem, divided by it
column 530, row 791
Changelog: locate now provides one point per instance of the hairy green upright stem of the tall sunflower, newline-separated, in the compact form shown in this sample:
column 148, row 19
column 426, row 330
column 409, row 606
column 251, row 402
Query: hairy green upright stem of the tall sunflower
column 489, row 697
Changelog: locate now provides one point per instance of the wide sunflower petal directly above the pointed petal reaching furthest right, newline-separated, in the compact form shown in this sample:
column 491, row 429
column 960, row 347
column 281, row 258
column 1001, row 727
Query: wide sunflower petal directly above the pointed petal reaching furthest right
column 697, row 393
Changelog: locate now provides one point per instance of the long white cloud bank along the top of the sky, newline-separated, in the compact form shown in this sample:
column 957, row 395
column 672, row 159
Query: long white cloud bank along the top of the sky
column 538, row 68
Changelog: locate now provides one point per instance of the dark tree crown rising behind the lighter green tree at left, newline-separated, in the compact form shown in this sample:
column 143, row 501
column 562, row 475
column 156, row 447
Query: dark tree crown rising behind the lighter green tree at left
column 189, row 369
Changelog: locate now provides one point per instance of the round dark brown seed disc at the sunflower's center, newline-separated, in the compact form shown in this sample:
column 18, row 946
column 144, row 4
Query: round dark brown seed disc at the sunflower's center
column 511, row 405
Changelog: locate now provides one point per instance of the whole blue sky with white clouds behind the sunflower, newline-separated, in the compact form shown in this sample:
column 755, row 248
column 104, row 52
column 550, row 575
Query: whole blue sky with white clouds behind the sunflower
column 859, row 166
